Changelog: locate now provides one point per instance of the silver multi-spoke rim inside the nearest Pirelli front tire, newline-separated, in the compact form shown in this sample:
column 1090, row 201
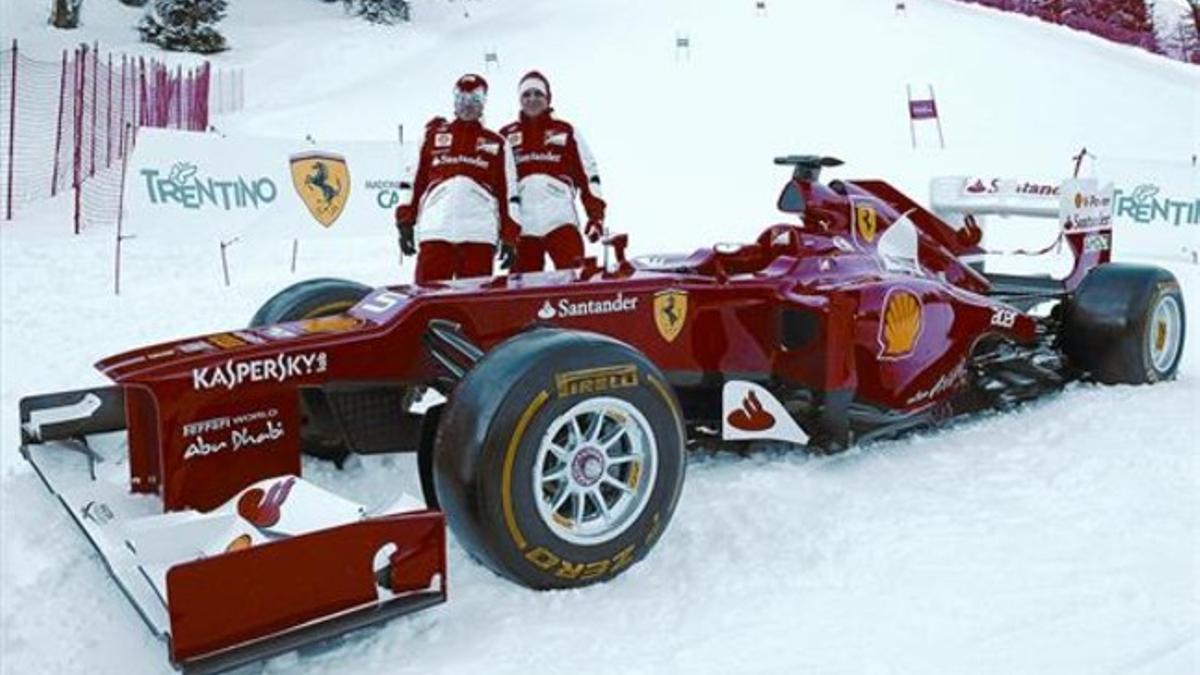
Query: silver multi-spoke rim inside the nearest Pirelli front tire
column 596, row 470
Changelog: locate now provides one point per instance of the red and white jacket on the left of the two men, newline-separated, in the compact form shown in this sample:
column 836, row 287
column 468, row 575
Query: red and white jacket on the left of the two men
column 465, row 187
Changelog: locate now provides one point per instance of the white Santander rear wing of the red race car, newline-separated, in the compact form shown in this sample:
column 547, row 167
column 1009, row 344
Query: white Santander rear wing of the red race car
column 1083, row 208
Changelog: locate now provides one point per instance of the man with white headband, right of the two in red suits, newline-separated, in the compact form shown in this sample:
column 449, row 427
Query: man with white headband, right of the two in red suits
column 554, row 168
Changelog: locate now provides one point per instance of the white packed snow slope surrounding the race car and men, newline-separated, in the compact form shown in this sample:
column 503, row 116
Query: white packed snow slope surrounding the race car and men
column 1061, row 539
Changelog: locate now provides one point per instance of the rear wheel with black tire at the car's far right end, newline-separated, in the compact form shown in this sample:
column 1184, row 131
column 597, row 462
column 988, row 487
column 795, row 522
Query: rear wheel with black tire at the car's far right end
column 1126, row 325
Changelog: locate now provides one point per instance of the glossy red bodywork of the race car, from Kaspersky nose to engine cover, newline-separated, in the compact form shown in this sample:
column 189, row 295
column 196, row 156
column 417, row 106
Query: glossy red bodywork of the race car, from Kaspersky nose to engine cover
column 815, row 307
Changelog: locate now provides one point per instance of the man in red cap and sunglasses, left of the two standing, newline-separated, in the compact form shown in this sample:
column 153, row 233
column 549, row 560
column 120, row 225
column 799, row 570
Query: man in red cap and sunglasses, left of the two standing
column 465, row 196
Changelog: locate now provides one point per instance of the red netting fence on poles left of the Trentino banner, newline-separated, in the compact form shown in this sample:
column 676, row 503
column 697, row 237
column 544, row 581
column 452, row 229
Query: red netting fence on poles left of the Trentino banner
column 70, row 124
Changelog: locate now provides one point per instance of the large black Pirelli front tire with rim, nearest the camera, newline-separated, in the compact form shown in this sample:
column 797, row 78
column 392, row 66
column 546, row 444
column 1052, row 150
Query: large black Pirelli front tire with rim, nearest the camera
column 560, row 458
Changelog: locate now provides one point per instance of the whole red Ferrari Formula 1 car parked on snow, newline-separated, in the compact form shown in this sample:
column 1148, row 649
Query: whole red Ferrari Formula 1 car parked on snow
column 551, row 413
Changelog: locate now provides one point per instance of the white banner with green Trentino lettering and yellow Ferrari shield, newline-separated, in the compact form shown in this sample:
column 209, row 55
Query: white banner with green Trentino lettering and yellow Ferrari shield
column 188, row 186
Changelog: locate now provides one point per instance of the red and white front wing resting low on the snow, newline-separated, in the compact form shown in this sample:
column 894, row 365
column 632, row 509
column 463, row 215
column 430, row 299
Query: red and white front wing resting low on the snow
column 281, row 565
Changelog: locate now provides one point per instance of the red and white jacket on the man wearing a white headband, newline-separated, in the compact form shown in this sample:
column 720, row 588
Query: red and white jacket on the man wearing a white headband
column 554, row 166
